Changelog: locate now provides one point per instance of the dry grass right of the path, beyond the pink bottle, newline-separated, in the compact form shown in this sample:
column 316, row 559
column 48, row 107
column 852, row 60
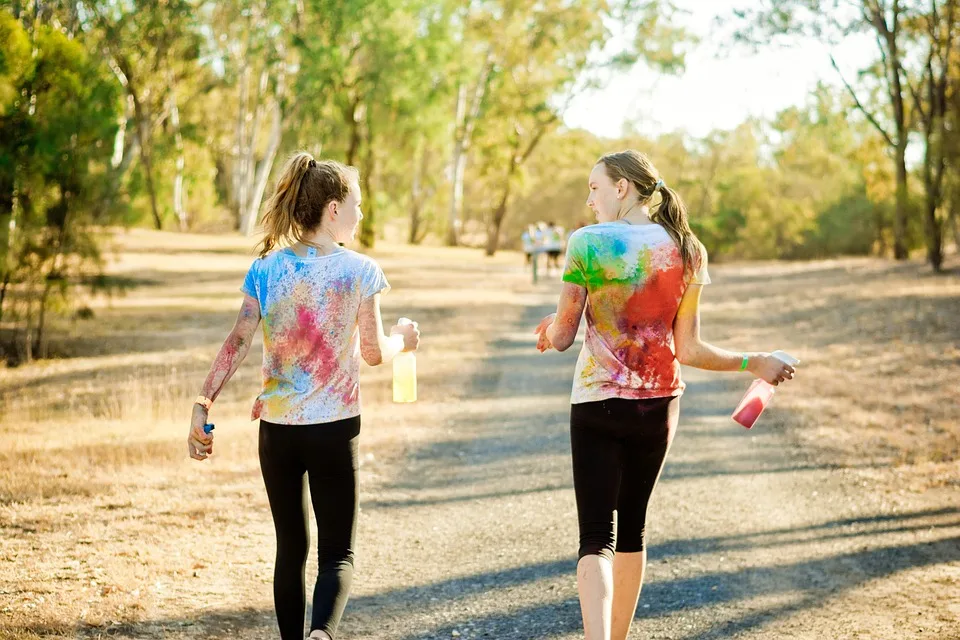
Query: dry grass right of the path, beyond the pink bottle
column 880, row 345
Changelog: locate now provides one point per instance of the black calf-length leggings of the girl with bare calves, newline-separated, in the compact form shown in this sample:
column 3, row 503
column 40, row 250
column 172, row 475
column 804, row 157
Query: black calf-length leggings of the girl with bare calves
column 618, row 451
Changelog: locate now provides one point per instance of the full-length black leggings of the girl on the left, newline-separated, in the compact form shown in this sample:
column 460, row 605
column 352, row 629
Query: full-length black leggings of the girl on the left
column 326, row 454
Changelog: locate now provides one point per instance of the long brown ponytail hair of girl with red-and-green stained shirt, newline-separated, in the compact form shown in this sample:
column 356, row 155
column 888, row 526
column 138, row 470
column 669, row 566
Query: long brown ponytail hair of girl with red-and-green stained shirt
column 671, row 213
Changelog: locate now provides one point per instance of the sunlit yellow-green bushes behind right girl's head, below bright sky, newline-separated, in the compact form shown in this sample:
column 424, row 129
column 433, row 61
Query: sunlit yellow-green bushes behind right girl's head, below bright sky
column 811, row 183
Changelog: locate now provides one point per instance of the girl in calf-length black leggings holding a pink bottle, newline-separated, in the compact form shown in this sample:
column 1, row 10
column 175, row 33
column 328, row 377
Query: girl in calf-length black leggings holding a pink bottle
column 639, row 274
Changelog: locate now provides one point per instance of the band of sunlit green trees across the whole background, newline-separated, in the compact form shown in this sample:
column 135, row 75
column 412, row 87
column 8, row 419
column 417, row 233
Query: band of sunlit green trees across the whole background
column 172, row 112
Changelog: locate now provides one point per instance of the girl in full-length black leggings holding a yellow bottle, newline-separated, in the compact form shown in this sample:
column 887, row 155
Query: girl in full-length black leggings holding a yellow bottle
column 320, row 306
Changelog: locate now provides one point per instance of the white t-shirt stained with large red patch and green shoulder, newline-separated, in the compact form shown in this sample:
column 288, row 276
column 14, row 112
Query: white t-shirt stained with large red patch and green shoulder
column 634, row 279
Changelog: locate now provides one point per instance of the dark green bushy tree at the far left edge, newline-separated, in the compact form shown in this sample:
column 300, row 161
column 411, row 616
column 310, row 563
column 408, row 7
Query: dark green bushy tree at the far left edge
column 55, row 135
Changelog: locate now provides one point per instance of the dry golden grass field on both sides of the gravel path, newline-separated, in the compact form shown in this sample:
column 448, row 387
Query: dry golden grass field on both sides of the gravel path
column 104, row 521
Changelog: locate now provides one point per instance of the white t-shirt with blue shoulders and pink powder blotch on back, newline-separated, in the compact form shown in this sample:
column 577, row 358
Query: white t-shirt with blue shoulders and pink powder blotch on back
column 311, row 337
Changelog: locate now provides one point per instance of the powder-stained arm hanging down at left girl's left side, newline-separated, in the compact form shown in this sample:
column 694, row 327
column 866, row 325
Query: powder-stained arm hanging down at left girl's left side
column 228, row 360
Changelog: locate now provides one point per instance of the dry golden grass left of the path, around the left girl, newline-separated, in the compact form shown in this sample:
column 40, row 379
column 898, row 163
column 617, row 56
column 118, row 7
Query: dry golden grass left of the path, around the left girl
column 104, row 521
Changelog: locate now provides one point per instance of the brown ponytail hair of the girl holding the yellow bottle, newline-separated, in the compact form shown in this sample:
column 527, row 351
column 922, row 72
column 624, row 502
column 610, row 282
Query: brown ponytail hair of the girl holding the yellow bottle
column 304, row 190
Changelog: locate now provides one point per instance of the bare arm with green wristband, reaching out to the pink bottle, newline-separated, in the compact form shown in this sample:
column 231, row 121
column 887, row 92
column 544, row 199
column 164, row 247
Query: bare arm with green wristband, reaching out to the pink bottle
column 691, row 350
